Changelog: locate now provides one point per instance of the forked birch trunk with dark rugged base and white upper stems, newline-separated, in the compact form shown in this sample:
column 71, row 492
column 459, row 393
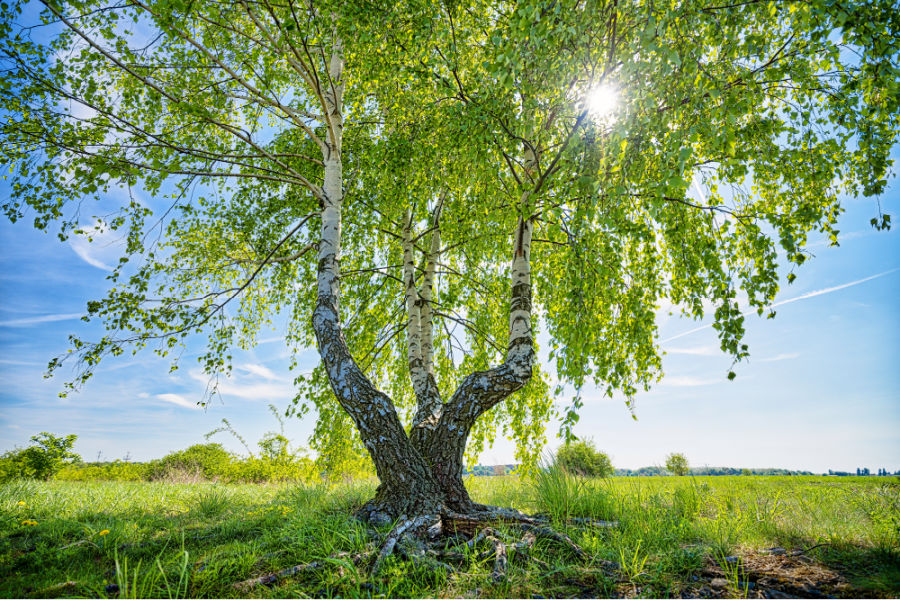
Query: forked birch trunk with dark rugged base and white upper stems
column 420, row 473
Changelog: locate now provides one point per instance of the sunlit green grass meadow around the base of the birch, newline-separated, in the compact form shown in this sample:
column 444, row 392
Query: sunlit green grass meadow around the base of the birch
column 674, row 535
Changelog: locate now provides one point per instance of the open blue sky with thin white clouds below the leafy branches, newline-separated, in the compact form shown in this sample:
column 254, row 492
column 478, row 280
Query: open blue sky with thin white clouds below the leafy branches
column 820, row 391
